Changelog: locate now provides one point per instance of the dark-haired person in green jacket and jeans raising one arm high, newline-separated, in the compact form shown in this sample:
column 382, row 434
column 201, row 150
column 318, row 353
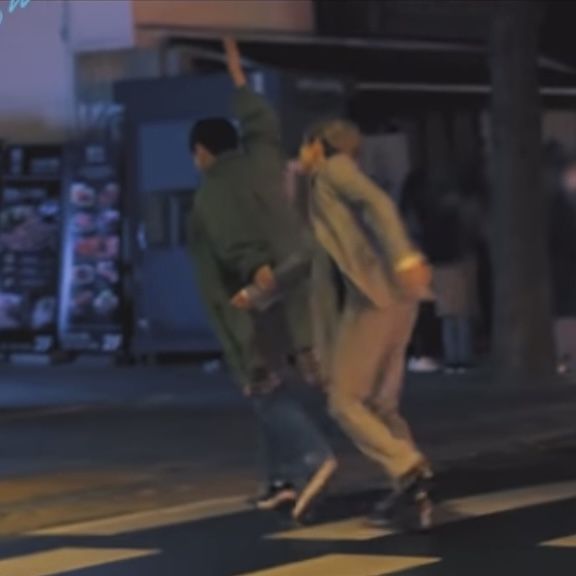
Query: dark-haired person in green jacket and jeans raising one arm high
column 240, row 228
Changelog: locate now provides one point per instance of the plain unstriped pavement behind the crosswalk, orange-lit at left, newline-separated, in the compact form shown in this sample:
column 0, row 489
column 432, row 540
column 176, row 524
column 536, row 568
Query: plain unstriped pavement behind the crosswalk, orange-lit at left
column 86, row 442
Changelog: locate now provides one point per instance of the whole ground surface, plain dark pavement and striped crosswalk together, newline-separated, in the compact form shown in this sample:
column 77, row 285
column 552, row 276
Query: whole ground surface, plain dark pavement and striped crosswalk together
column 119, row 483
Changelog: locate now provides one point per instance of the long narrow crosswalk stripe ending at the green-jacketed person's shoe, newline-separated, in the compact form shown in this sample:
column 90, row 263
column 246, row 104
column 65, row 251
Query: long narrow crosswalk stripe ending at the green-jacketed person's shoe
column 159, row 518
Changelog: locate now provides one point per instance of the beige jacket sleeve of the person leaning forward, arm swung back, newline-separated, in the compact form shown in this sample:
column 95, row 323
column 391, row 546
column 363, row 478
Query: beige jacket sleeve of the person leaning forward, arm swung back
column 379, row 210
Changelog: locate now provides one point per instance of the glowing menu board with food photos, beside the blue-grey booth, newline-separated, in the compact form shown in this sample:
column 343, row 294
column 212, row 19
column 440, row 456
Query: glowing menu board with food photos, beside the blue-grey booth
column 91, row 292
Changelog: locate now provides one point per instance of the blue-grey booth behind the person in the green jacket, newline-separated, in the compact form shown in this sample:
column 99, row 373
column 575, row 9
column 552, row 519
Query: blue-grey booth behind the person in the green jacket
column 169, row 316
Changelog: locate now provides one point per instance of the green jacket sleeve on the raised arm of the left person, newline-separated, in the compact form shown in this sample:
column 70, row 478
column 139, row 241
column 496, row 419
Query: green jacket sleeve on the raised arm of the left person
column 258, row 120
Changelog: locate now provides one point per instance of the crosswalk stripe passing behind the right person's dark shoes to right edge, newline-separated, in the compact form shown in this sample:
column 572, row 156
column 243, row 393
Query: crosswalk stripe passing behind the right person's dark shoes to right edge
column 446, row 513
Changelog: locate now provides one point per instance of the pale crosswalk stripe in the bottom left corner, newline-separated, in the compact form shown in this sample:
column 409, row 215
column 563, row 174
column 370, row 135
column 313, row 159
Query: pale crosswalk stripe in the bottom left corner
column 67, row 560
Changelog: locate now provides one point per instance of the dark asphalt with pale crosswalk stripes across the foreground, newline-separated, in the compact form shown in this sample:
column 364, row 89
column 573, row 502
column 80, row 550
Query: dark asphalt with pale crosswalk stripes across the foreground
column 497, row 517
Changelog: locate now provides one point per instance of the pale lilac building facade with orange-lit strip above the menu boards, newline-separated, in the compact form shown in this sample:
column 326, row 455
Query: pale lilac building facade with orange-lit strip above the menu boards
column 59, row 58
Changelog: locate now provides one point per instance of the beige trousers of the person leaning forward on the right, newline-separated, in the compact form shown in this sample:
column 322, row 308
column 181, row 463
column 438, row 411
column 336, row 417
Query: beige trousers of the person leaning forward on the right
column 366, row 381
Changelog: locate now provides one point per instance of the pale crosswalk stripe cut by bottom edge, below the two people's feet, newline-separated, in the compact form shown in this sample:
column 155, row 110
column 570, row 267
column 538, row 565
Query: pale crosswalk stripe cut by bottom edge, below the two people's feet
column 349, row 565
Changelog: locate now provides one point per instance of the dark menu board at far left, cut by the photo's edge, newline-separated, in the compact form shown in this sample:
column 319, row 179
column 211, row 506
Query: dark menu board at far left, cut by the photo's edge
column 30, row 200
